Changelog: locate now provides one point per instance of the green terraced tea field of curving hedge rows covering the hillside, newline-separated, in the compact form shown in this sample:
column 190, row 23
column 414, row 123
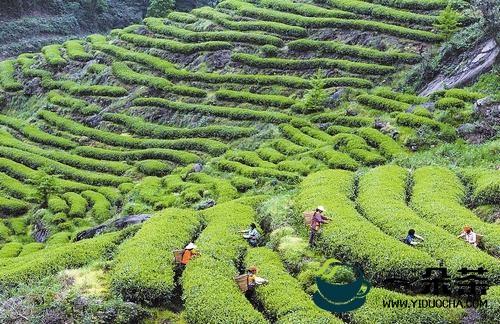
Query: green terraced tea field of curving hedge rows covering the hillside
column 286, row 106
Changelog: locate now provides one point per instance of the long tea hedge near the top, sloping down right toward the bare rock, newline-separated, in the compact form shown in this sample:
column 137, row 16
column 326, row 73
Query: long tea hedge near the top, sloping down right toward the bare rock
column 247, row 9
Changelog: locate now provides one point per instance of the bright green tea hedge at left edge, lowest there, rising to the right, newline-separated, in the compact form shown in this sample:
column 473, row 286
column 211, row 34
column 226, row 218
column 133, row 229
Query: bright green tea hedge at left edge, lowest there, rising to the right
column 51, row 260
